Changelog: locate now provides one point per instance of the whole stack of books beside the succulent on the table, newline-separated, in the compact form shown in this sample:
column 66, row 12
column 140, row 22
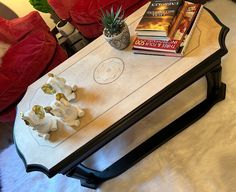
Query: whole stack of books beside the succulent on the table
column 166, row 27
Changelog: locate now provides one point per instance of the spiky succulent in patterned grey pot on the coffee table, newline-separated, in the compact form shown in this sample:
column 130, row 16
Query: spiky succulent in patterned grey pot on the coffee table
column 116, row 31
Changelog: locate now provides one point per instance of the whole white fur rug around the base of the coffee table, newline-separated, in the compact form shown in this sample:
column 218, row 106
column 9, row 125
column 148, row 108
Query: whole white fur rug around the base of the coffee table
column 200, row 159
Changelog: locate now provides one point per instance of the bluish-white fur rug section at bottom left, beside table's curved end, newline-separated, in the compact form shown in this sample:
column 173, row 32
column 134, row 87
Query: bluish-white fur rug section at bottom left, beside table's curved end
column 14, row 177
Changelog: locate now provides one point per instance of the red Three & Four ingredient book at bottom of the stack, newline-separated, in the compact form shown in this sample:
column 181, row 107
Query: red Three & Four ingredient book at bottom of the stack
column 178, row 45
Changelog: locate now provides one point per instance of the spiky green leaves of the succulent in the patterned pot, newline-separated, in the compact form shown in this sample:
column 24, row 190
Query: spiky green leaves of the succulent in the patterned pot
column 113, row 21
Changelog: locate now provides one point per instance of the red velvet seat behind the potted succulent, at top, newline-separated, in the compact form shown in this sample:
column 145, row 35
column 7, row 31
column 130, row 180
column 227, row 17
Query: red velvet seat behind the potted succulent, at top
column 85, row 14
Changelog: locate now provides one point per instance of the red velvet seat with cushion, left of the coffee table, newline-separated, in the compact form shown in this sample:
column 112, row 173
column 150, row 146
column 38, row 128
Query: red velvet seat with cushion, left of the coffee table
column 34, row 51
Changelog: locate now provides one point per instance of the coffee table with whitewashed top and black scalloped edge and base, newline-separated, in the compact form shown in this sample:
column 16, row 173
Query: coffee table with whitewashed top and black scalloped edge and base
column 117, row 90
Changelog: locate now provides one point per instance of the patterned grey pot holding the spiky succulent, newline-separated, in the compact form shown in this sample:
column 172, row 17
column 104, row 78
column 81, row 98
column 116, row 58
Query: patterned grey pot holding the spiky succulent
column 120, row 41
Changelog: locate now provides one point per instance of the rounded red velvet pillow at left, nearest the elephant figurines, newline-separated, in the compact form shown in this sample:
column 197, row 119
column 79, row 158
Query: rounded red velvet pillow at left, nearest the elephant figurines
column 24, row 63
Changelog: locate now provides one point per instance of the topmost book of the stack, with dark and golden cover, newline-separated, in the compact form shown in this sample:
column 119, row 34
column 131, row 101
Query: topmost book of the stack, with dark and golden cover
column 158, row 17
